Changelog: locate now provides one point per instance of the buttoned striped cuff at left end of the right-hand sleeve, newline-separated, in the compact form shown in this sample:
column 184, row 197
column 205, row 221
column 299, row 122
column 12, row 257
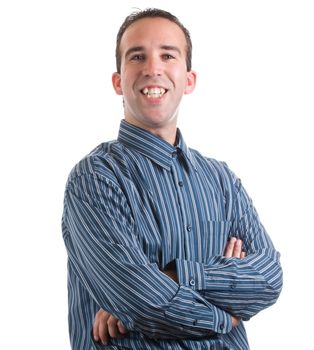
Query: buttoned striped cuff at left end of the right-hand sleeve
column 190, row 274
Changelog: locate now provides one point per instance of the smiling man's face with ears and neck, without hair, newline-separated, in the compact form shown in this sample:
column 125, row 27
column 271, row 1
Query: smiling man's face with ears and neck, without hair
column 153, row 75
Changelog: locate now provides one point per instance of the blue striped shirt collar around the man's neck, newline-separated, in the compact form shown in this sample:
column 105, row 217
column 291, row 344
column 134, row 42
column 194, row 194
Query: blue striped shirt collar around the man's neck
column 151, row 146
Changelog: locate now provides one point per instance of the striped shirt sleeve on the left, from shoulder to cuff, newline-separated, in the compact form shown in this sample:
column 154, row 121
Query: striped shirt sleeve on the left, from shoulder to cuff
column 104, row 251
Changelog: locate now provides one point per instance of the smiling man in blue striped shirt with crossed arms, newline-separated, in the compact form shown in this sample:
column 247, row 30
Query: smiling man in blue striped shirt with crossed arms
column 166, row 250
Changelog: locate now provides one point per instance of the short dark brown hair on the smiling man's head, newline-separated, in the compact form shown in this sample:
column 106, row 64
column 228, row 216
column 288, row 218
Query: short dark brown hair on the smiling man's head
column 153, row 13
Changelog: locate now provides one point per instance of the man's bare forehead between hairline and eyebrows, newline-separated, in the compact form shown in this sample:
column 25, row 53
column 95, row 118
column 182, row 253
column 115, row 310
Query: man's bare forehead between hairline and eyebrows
column 148, row 32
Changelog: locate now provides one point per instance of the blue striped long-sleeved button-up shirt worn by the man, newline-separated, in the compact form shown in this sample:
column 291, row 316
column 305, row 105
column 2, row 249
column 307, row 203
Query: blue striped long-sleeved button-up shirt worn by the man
column 138, row 203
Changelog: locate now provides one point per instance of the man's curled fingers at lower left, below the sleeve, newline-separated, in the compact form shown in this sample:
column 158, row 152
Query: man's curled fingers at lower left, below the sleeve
column 105, row 326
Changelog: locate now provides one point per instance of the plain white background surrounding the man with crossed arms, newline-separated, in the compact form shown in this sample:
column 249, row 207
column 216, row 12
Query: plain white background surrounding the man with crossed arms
column 252, row 108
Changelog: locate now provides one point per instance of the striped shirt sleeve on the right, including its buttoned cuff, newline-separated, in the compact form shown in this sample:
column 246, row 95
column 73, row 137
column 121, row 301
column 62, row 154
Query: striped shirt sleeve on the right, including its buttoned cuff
column 242, row 287
